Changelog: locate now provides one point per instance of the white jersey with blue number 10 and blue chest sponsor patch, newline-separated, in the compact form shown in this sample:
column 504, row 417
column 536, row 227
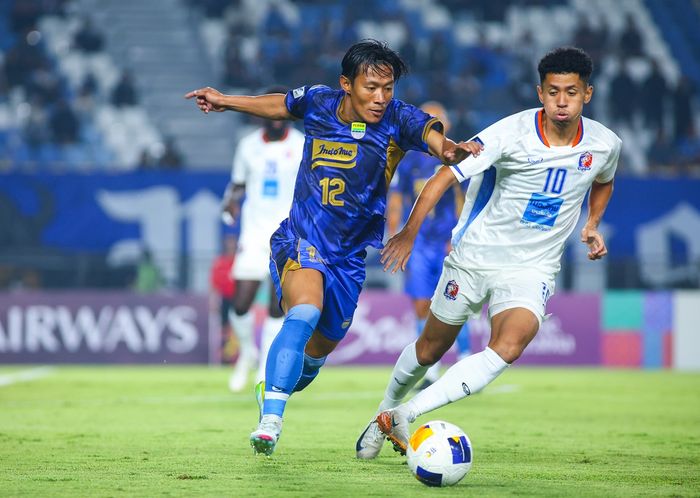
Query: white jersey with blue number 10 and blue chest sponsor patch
column 525, row 197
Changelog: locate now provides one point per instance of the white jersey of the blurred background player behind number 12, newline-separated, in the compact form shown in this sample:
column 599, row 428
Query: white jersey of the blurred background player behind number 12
column 269, row 170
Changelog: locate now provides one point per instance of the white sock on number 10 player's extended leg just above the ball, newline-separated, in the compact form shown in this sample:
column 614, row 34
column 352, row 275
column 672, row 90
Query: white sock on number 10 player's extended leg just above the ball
column 467, row 376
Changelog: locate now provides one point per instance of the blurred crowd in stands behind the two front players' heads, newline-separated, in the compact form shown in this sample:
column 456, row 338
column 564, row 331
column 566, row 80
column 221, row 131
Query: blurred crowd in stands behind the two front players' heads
column 480, row 80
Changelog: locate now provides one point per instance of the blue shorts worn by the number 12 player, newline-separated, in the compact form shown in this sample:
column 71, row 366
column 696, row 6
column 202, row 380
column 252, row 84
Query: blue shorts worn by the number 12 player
column 342, row 282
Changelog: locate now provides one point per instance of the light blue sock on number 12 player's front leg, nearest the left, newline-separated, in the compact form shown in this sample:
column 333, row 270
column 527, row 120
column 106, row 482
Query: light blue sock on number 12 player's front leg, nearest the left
column 286, row 359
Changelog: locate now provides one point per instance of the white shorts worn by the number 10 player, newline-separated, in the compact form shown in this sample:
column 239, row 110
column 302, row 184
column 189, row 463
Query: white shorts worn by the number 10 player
column 461, row 293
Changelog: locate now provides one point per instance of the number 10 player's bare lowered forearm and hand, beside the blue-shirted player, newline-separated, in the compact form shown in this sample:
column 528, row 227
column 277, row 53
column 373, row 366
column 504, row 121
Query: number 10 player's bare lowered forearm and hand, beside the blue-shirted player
column 398, row 248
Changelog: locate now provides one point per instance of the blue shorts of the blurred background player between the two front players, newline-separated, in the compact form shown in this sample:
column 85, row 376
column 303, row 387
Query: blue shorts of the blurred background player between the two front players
column 424, row 269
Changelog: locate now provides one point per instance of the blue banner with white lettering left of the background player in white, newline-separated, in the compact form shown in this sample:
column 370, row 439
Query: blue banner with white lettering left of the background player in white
column 169, row 213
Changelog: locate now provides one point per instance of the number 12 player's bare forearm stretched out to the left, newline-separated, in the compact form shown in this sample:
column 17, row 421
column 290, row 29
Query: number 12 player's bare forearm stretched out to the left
column 270, row 106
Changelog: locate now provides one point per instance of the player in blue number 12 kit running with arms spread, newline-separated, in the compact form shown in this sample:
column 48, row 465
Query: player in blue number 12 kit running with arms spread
column 355, row 137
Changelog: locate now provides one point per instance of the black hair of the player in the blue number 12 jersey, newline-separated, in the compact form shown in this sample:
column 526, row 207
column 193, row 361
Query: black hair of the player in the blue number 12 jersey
column 372, row 54
